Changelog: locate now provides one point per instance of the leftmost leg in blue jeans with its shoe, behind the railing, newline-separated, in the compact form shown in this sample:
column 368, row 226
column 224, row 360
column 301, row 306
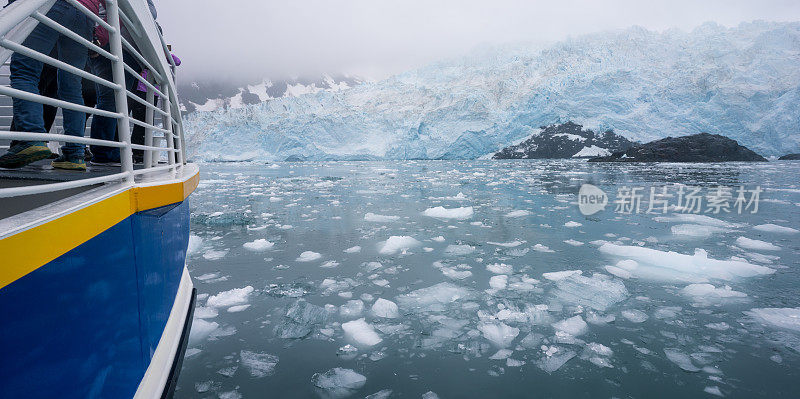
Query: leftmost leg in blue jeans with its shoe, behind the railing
column 25, row 76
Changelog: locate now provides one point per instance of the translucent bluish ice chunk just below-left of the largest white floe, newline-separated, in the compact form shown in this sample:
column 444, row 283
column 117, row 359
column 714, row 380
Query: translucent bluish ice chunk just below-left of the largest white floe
column 598, row 292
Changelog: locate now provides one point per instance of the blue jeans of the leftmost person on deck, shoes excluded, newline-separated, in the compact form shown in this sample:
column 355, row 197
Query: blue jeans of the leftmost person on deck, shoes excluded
column 25, row 74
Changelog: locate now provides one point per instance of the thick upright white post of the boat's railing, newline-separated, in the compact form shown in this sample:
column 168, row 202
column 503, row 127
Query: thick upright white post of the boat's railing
column 118, row 72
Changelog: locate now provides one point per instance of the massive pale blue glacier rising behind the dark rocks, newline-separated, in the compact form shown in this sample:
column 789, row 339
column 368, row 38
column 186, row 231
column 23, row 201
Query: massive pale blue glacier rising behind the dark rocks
column 741, row 82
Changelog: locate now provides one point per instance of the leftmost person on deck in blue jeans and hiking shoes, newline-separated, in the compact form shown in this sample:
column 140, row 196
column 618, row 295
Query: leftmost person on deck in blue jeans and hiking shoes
column 25, row 75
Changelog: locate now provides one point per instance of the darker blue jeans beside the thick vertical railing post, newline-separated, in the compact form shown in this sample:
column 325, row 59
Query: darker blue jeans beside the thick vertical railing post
column 105, row 128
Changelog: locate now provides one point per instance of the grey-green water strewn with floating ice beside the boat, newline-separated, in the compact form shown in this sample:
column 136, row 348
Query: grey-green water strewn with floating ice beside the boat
column 345, row 279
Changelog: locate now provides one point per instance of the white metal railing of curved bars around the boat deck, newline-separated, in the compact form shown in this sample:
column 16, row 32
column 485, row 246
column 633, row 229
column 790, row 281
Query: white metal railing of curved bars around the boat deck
column 163, row 145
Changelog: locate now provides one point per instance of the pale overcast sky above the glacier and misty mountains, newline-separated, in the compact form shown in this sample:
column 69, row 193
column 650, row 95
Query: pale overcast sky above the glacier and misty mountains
column 254, row 39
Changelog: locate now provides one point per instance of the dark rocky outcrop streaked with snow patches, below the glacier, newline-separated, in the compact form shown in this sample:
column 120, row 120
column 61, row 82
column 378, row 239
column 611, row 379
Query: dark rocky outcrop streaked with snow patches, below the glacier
column 566, row 140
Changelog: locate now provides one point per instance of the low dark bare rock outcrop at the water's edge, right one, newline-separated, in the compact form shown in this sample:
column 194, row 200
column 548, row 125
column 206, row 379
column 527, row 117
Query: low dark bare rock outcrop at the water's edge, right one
column 701, row 147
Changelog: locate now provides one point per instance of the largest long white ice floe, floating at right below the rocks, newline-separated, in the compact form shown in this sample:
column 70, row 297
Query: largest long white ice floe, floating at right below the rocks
column 672, row 266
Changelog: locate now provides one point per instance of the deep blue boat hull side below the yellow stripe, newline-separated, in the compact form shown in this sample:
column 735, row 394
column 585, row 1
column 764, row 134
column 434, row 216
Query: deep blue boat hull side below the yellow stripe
column 86, row 325
